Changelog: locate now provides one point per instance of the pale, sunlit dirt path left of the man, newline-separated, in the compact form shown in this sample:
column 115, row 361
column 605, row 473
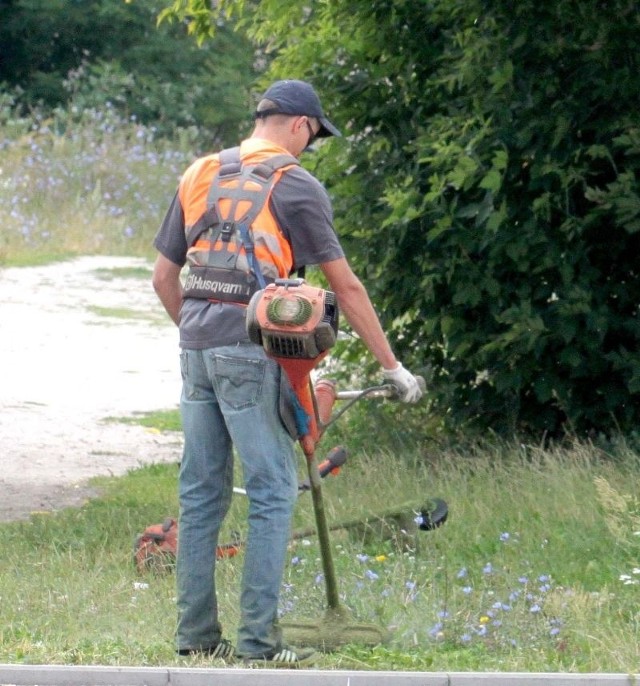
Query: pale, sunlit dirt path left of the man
column 68, row 360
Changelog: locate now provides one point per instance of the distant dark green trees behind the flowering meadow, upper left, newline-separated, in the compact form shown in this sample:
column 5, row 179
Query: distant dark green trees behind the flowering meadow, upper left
column 100, row 51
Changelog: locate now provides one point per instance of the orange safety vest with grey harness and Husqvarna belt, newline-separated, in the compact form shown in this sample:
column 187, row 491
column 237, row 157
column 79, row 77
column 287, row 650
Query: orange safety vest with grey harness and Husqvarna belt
column 234, row 244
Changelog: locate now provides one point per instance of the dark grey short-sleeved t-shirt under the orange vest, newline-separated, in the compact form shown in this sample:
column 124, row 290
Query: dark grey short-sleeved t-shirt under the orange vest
column 301, row 206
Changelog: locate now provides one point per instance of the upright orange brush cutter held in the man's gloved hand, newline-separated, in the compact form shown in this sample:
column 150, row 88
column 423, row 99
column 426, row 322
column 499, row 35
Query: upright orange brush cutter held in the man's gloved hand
column 297, row 324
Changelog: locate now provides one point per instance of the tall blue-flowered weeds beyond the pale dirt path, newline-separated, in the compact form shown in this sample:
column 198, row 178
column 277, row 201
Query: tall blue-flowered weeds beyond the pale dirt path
column 82, row 182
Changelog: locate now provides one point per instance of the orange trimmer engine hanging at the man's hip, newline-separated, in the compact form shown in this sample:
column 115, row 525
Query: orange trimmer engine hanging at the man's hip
column 293, row 320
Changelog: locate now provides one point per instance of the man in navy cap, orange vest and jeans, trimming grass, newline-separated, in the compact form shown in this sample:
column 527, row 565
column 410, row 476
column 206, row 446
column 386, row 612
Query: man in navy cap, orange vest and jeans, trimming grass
column 230, row 387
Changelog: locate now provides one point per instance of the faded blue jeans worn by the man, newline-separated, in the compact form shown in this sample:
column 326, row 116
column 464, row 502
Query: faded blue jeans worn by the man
column 230, row 400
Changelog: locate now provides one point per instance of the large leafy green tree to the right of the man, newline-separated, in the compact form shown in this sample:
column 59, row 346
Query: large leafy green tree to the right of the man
column 487, row 190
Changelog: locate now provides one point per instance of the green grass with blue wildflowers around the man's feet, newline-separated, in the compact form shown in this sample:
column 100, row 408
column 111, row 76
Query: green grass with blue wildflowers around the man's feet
column 536, row 569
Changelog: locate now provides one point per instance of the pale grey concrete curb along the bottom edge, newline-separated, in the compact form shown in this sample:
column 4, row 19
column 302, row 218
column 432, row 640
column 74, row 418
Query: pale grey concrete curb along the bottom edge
column 62, row 675
